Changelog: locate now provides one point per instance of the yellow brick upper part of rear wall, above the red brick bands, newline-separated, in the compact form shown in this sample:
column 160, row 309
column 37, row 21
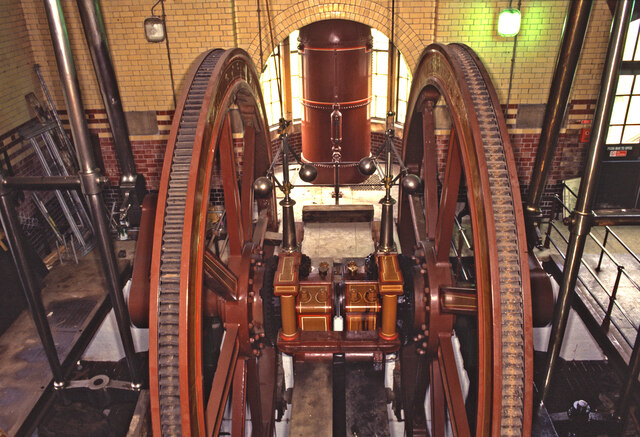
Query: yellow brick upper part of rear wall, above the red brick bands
column 197, row 25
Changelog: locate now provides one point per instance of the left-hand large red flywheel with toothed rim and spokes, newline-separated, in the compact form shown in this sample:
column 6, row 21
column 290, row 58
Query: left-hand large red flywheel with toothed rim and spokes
column 205, row 320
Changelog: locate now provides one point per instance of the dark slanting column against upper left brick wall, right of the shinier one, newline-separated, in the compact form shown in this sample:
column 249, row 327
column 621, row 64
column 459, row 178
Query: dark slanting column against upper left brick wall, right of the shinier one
column 95, row 34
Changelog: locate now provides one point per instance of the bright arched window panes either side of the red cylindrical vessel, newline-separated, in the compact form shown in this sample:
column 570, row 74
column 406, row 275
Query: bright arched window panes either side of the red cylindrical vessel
column 379, row 78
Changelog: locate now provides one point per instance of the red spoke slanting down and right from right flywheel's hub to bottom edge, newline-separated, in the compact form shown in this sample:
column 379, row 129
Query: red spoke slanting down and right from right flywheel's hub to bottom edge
column 453, row 391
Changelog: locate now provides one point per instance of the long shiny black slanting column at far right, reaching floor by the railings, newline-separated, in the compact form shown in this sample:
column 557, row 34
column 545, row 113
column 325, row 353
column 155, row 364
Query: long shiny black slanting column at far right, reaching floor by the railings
column 582, row 217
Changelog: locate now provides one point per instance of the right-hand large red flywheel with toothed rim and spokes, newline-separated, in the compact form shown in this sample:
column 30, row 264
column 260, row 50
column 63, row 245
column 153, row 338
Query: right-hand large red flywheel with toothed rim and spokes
column 481, row 292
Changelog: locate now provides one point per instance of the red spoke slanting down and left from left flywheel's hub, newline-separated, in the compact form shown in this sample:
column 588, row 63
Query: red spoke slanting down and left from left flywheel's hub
column 222, row 380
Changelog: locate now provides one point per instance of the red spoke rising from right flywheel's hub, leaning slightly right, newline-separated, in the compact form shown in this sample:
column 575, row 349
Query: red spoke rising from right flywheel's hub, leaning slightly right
column 448, row 200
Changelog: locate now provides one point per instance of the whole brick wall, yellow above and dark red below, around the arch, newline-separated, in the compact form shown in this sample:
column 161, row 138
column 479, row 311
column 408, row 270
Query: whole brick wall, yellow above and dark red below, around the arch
column 142, row 68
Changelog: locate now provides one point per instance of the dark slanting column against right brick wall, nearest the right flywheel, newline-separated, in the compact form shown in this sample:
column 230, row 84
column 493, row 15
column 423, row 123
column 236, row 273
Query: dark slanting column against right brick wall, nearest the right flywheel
column 572, row 39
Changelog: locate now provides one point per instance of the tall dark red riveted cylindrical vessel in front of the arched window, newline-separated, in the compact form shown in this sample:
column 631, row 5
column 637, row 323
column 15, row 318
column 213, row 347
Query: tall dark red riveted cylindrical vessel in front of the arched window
column 336, row 69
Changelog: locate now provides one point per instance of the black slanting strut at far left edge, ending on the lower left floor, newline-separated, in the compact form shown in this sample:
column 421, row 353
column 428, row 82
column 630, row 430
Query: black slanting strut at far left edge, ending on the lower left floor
column 30, row 286
